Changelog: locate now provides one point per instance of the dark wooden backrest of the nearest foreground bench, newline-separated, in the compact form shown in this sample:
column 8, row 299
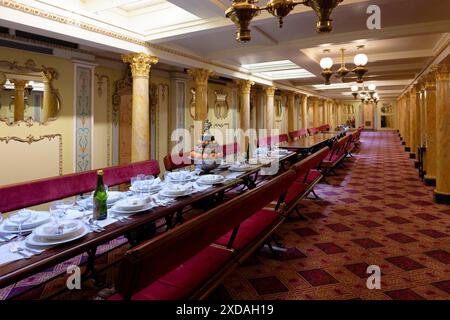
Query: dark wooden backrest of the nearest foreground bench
column 148, row 262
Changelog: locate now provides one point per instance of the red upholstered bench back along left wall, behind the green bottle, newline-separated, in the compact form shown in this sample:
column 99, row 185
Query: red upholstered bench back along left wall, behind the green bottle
column 24, row 195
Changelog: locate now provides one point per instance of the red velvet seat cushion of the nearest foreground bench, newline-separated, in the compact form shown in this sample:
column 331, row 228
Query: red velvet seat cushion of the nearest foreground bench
column 182, row 282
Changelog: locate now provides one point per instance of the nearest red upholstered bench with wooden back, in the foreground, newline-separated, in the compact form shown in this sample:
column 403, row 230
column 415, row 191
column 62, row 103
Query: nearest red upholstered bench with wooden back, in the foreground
column 181, row 263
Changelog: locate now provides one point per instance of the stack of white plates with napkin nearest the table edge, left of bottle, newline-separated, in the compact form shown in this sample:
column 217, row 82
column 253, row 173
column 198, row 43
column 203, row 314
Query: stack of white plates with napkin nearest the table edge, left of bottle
column 50, row 234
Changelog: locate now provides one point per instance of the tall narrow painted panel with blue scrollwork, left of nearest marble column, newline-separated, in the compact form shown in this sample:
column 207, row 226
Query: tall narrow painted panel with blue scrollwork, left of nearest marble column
column 83, row 113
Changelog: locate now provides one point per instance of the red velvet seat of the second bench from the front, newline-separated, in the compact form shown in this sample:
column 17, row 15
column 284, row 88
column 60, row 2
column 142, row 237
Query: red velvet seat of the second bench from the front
column 250, row 229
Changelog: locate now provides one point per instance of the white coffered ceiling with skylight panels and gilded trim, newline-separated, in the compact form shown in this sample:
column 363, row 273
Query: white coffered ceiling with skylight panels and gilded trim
column 412, row 33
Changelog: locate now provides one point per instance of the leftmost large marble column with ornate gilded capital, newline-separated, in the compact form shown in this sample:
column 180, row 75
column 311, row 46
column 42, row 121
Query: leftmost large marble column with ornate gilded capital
column 140, row 64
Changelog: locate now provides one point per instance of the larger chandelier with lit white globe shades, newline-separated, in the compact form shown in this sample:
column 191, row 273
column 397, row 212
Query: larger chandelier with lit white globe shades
column 360, row 70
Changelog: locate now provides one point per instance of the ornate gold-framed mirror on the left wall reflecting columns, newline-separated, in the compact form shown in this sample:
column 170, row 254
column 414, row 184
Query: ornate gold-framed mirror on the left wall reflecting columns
column 27, row 94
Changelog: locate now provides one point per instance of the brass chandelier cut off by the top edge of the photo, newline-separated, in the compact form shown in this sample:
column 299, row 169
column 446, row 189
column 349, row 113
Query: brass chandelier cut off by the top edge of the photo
column 242, row 12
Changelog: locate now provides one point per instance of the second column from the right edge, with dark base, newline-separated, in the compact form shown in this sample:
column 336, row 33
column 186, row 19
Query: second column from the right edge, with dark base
column 430, row 111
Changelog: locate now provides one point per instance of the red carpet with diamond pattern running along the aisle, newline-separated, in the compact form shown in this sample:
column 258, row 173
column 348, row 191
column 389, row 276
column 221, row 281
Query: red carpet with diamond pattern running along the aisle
column 374, row 212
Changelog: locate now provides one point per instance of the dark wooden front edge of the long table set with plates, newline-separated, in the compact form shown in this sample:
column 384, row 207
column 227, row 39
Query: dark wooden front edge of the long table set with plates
column 15, row 271
